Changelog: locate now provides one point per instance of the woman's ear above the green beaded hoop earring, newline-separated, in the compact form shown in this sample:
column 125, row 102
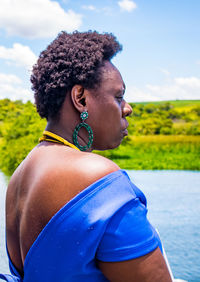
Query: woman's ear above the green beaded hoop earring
column 78, row 97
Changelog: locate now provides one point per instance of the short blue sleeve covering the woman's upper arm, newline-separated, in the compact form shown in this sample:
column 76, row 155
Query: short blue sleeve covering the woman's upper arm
column 128, row 234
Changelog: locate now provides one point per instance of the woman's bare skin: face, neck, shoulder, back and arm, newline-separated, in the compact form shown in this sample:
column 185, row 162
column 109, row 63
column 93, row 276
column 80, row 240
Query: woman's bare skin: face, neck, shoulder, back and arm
column 52, row 174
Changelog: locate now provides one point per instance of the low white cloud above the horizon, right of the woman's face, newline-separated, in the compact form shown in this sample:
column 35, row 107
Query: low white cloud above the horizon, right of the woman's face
column 181, row 88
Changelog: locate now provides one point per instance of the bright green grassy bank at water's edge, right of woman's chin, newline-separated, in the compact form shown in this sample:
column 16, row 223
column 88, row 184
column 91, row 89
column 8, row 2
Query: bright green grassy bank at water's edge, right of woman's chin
column 157, row 152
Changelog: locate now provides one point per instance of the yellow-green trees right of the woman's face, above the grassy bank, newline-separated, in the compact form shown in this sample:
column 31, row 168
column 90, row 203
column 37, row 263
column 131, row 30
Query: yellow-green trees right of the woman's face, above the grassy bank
column 165, row 119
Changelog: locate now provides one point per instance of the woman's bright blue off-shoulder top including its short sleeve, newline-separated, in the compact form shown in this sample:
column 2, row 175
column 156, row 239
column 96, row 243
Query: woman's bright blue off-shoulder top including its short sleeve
column 106, row 221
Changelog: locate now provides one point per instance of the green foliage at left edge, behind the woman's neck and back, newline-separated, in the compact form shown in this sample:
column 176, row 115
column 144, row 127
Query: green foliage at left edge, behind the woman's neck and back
column 20, row 129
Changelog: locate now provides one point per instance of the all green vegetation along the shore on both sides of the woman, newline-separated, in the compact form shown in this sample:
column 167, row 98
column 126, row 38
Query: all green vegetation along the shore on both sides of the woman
column 162, row 135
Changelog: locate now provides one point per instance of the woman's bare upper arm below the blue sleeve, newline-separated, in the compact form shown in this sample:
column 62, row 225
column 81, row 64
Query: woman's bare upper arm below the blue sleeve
column 148, row 268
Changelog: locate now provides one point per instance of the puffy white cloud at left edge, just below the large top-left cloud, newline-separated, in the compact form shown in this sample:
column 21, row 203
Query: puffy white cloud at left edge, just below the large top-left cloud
column 19, row 54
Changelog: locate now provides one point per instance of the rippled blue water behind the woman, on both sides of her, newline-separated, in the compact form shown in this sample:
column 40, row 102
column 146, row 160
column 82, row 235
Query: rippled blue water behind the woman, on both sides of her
column 174, row 209
